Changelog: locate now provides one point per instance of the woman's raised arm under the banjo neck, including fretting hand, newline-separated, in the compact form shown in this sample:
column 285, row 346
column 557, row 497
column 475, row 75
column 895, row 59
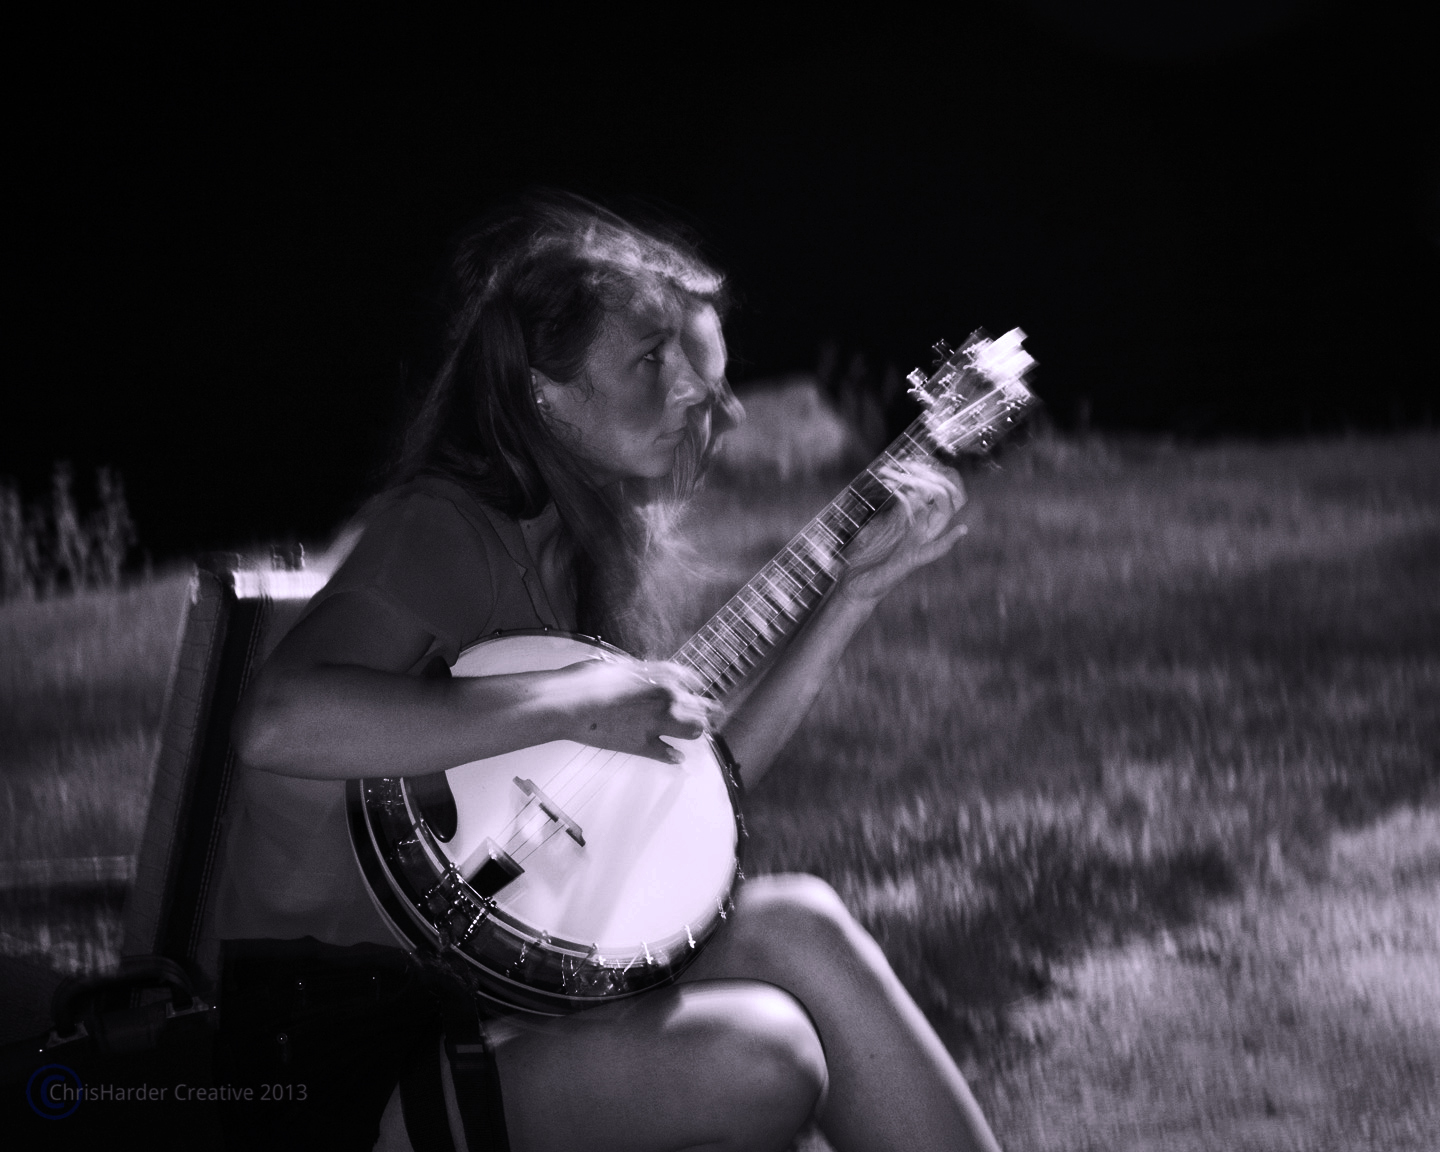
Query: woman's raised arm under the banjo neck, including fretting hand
column 912, row 532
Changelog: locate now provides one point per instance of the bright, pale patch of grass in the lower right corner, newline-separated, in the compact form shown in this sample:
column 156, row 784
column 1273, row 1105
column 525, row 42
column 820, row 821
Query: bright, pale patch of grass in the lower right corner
column 1298, row 1016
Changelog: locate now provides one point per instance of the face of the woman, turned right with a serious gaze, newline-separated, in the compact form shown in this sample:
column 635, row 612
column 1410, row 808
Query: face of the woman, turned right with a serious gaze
column 653, row 371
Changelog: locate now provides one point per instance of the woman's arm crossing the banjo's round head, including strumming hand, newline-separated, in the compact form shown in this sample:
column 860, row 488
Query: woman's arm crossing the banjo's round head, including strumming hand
column 335, row 702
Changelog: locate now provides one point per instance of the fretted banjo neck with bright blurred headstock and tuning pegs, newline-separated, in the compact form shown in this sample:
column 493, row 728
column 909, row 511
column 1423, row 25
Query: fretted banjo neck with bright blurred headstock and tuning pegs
column 971, row 401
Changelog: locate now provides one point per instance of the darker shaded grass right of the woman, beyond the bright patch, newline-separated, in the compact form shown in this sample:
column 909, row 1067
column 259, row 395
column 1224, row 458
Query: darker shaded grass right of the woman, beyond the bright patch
column 1148, row 678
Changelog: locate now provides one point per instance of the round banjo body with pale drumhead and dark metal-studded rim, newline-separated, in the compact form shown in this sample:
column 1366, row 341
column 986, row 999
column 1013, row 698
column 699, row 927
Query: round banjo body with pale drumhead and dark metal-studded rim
column 574, row 875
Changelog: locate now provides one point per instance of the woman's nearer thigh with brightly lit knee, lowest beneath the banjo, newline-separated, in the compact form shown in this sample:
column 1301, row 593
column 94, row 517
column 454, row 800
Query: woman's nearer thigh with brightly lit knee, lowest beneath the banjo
column 721, row 1063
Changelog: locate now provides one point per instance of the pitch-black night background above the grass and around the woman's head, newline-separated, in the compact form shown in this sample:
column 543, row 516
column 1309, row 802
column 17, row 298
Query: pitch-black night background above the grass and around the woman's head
column 1212, row 218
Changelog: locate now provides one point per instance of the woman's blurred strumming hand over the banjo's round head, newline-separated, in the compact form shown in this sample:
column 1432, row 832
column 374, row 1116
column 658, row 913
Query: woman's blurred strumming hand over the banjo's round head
column 629, row 705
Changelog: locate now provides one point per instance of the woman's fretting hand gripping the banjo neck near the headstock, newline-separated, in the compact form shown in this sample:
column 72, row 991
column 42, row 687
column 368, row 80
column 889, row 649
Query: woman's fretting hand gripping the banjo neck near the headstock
column 915, row 529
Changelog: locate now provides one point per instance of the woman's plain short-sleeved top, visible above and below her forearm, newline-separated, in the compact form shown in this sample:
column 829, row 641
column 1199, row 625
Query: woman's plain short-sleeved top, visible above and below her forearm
column 460, row 571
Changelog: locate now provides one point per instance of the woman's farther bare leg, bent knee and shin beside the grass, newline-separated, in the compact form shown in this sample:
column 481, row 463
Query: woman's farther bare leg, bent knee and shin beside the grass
column 892, row 1084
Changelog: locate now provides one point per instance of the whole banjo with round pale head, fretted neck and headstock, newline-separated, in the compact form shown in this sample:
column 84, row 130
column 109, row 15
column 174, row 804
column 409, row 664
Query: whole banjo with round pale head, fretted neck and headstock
column 562, row 876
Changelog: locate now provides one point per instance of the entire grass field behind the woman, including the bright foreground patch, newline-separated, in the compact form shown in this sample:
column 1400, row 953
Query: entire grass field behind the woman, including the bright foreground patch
column 1138, row 790
